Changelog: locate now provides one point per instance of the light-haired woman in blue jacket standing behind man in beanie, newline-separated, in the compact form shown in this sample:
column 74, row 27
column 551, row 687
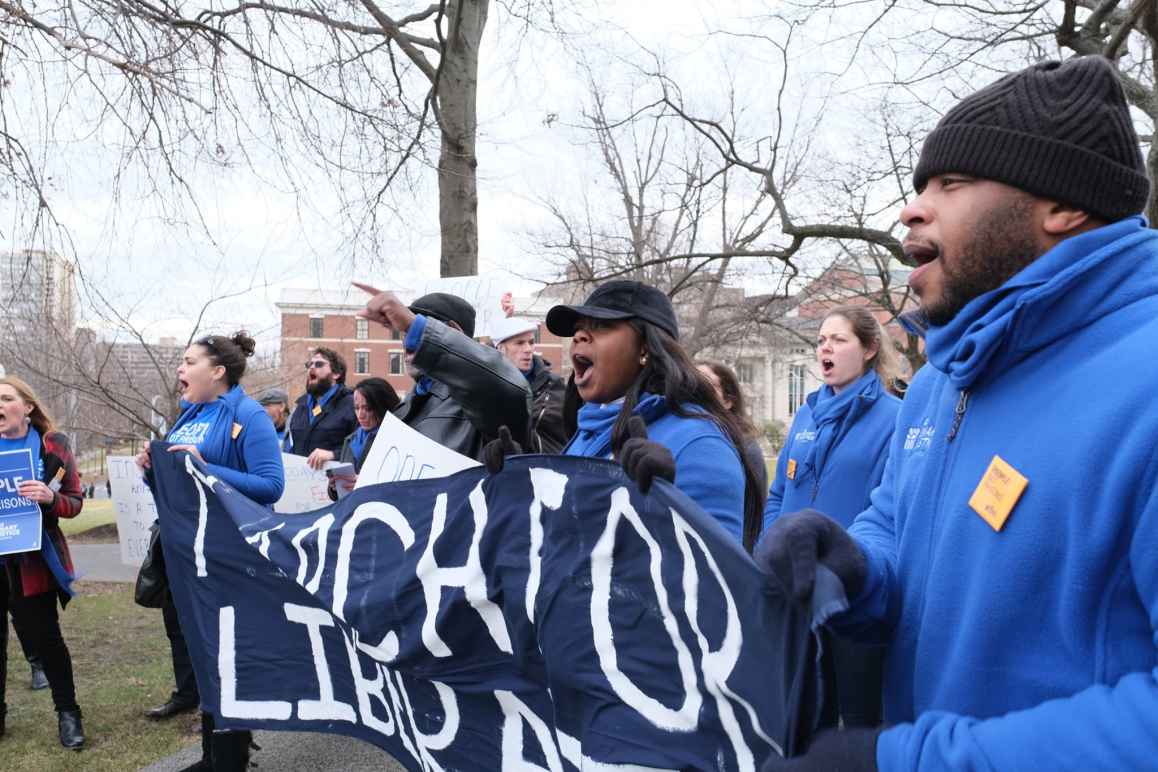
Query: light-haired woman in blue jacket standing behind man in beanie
column 834, row 458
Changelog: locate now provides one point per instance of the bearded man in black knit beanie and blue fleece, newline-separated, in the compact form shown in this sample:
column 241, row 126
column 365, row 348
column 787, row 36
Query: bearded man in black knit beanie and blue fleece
column 1008, row 558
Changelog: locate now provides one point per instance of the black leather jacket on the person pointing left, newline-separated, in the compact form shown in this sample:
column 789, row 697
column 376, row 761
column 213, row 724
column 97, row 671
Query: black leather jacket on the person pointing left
column 475, row 392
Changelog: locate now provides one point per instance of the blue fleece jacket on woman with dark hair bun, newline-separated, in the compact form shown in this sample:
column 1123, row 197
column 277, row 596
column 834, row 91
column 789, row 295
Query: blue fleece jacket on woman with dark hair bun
column 251, row 461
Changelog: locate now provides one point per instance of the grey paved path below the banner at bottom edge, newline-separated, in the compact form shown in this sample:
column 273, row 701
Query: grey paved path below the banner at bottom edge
column 301, row 752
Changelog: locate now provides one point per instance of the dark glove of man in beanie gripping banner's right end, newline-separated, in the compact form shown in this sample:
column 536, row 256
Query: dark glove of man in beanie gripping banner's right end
column 796, row 543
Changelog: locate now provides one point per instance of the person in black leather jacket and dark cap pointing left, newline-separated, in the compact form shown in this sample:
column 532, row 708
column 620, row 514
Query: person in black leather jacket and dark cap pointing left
column 464, row 391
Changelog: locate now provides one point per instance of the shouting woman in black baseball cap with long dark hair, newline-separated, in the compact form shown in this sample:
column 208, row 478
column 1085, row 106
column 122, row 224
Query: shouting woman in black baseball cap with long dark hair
column 631, row 371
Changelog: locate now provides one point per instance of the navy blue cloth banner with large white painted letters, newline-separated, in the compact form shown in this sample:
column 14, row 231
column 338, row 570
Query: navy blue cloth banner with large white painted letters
column 549, row 617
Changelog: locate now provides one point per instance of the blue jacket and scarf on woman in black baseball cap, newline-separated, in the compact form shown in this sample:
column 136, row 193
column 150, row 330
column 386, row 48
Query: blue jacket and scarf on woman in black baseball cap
column 708, row 467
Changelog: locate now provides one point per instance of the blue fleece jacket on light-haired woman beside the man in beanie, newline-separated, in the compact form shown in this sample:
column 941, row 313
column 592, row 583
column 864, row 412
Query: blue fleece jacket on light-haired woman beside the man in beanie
column 835, row 453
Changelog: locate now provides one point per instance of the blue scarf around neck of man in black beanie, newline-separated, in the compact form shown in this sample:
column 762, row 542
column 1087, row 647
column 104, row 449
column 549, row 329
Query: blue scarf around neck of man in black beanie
column 1081, row 280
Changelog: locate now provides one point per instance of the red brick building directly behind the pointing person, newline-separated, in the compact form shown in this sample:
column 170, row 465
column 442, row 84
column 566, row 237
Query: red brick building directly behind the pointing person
column 313, row 319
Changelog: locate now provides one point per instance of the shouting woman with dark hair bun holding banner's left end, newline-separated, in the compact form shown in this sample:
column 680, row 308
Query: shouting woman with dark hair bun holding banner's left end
column 236, row 439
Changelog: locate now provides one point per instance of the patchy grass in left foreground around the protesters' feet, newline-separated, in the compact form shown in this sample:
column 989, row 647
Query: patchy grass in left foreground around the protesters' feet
column 121, row 658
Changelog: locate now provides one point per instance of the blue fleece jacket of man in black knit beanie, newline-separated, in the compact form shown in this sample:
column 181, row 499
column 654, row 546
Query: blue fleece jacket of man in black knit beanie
column 1035, row 646
